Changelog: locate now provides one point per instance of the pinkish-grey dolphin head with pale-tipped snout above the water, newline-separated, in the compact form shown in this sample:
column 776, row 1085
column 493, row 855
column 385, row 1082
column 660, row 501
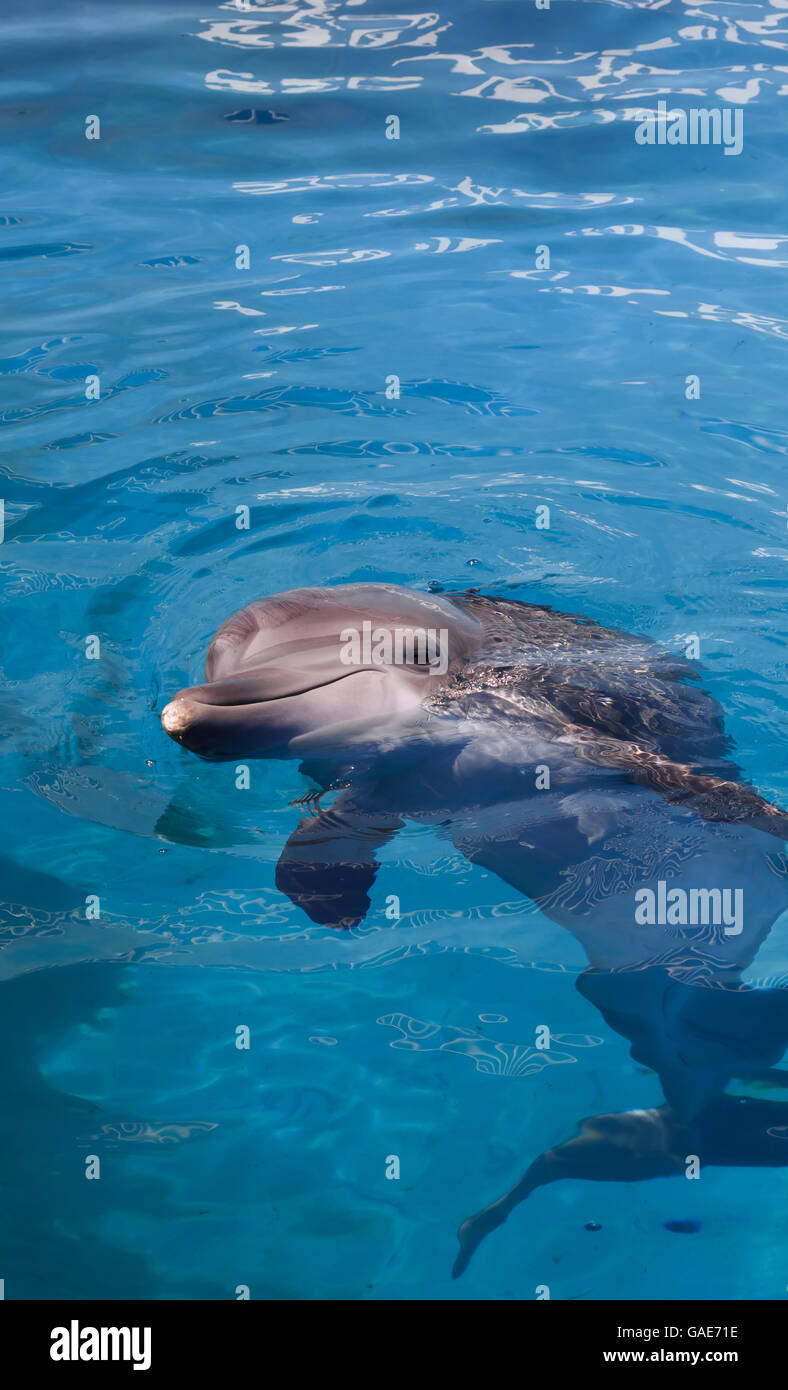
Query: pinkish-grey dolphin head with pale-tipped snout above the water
column 319, row 664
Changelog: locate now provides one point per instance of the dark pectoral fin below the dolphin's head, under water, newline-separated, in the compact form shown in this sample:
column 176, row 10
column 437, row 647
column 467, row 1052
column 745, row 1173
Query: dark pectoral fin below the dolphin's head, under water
column 329, row 865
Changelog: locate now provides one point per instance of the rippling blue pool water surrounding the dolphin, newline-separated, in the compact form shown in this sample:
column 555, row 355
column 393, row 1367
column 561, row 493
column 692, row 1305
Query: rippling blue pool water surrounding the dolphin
column 266, row 387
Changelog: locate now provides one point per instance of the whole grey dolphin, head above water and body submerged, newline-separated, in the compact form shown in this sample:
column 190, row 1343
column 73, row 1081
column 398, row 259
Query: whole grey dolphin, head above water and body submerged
column 641, row 799
